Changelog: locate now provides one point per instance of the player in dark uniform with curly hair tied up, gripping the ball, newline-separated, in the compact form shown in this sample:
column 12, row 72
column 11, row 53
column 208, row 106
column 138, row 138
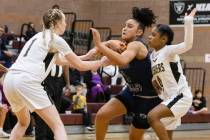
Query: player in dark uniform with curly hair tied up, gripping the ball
column 139, row 97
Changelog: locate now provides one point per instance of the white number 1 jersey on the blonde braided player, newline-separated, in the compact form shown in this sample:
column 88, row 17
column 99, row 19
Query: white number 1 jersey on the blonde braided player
column 32, row 57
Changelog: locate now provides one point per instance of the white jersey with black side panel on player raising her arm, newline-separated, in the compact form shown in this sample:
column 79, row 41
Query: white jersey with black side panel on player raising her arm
column 168, row 78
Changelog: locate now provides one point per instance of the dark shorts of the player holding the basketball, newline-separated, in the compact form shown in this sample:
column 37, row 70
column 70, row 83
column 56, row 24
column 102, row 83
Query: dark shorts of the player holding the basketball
column 139, row 106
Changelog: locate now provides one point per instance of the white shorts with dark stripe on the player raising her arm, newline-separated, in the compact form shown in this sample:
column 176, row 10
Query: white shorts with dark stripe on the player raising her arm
column 179, row 106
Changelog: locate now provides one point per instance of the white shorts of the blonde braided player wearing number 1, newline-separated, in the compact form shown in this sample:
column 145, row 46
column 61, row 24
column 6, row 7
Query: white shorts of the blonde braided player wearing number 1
column 22, row 90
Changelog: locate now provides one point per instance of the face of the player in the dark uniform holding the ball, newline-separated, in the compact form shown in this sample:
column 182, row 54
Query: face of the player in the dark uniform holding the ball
column 130, row 30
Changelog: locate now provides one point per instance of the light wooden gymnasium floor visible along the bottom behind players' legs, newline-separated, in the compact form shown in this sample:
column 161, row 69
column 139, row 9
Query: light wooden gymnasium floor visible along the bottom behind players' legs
column 178, row 135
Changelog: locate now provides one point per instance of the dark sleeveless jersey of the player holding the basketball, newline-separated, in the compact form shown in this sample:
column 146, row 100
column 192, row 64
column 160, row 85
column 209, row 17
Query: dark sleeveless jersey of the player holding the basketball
column 138, row 76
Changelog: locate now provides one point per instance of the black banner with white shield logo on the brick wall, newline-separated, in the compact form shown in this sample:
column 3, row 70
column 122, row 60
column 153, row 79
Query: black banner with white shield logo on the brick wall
column 178, row 8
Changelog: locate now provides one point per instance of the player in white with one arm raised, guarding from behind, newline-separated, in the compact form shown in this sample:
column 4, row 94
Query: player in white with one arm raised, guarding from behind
column 168, row 78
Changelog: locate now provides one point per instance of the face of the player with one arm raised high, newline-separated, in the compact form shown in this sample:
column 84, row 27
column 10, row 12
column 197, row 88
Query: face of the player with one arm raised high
column 154, row 39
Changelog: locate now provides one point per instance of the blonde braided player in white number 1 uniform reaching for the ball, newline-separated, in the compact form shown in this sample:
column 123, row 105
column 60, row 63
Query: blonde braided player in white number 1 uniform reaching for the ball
column 22, row 83
